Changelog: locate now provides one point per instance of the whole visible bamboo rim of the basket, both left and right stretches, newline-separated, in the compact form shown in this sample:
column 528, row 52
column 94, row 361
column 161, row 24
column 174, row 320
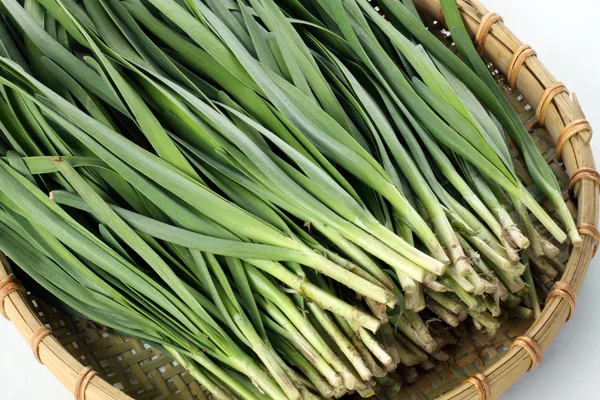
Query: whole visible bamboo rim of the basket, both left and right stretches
column 499, row 46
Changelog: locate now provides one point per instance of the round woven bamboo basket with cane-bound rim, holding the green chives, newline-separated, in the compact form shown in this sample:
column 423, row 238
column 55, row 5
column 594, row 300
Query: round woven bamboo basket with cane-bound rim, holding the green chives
column 95, row 365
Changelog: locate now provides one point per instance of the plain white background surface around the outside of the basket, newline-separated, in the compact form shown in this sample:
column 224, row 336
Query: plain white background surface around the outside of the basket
column 565, row 35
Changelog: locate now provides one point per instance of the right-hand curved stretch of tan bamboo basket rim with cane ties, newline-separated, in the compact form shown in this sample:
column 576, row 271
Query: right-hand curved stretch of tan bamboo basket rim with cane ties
column 520, row 63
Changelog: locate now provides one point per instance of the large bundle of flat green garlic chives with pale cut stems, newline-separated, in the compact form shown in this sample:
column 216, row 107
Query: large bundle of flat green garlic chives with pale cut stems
column 277, row 193
